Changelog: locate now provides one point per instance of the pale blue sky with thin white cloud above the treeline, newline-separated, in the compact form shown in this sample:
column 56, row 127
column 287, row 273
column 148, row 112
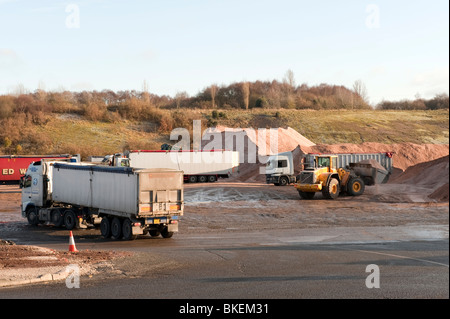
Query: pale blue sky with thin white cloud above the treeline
column 397, row 48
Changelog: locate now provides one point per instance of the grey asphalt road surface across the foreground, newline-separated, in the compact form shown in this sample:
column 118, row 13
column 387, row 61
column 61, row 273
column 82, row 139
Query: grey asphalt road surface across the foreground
column 292, row 264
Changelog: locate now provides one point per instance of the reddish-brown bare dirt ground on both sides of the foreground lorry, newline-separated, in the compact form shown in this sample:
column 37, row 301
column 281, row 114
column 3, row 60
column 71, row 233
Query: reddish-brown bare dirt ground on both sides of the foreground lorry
column 223, row 209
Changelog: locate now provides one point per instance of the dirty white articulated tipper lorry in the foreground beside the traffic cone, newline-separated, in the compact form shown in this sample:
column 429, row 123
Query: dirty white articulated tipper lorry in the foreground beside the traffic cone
column 123, row 201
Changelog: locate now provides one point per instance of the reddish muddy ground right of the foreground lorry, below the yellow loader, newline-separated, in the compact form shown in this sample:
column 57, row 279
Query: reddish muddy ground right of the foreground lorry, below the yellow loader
column 239, row 206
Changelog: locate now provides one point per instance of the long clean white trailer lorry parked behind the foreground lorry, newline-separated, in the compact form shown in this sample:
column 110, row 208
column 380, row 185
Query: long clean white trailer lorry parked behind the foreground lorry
column 197, row 166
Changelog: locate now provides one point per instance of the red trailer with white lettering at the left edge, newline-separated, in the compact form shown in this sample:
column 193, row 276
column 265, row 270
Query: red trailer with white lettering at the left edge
column 12, row 167
